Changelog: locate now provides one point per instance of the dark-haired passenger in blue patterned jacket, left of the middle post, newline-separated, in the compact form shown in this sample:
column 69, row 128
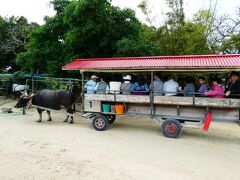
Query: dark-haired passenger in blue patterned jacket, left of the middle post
column 140, row 87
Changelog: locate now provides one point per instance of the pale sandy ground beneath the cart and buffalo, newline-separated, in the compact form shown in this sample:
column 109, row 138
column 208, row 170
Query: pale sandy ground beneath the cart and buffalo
column 132, row 148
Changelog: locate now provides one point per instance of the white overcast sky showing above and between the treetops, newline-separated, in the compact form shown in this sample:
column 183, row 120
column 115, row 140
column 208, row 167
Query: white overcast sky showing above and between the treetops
column 35, row 10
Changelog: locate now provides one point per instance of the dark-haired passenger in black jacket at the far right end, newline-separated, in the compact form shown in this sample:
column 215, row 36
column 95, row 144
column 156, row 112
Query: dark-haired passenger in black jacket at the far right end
column 233, row 87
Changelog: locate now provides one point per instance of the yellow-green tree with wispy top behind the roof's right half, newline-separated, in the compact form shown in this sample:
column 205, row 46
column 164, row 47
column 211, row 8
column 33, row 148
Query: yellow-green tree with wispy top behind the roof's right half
column 181, row 37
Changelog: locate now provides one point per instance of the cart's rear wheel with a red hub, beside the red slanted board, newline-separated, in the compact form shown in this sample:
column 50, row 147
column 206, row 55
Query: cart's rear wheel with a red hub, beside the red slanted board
column 171, row 128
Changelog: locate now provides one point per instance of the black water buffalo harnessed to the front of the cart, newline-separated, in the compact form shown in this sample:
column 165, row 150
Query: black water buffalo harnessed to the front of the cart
column 52, row 99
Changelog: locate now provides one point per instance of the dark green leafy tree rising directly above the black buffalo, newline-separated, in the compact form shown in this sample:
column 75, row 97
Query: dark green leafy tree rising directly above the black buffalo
column 45, row 50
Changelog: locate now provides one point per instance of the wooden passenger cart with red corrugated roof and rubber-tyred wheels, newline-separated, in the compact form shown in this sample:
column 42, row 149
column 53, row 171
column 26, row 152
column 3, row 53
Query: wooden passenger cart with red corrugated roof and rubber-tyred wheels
column 172, row 112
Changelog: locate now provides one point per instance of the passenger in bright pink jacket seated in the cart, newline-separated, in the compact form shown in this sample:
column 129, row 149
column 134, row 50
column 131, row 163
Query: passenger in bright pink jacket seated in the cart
column 217, row 90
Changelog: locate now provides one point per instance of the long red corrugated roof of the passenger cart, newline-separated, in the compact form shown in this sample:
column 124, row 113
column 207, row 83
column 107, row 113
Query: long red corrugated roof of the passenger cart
column 190, row 62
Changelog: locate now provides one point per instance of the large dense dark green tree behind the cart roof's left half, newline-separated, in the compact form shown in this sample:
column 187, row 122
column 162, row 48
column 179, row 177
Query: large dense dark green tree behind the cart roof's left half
column 96, row 27
